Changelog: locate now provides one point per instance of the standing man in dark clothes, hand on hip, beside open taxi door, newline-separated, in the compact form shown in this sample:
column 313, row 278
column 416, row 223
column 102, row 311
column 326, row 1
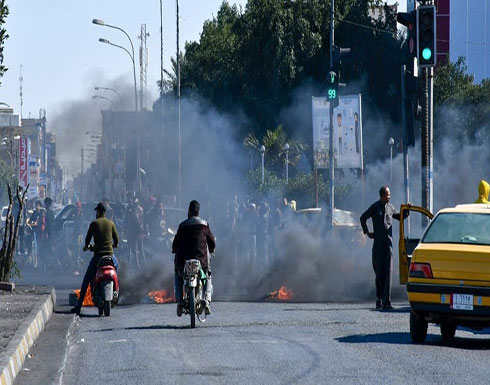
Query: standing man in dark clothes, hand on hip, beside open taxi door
column 382, row 213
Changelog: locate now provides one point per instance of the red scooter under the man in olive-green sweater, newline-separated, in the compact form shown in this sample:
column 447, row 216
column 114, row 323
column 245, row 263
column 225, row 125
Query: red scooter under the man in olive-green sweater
column 105, row 287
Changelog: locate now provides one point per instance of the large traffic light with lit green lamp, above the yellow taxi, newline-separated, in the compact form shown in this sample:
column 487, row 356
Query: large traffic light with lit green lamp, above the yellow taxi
column 426, row 36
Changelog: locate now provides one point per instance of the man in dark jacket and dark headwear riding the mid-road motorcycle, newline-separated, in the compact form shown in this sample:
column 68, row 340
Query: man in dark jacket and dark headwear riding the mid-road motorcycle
column 193, row 241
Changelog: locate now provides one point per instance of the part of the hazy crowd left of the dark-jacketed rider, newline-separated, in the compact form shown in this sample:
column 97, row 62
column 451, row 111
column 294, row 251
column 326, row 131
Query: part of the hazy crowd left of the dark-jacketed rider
column 43, row 244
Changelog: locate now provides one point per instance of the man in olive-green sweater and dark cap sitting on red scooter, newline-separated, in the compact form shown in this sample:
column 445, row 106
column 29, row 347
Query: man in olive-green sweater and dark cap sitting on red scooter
column 105, row 236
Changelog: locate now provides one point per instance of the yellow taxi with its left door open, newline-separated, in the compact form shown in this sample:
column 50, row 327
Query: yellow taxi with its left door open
column 447, row 270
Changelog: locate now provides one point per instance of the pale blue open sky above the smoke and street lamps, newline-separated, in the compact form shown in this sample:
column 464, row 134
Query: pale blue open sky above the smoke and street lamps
column 57, row 45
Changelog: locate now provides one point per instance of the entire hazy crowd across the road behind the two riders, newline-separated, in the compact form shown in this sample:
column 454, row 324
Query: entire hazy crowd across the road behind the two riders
column 246, row 230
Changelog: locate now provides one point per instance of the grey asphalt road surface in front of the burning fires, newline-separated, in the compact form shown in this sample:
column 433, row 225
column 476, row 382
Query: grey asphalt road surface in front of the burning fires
column 258, row 343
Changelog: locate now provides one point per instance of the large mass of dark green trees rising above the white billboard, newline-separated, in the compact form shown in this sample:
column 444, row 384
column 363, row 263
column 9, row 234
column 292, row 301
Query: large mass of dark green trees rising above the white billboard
column 253, row 60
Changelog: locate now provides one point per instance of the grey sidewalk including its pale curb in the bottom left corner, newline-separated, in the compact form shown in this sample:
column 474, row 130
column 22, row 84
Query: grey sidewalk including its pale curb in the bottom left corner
column 23, row 316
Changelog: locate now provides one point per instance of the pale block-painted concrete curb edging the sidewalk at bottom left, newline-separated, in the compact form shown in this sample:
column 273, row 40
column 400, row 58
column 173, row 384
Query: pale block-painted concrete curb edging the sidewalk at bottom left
column 13, row 358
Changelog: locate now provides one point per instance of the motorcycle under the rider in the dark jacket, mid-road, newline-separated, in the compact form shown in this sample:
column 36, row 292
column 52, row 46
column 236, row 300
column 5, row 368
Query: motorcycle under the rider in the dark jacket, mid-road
column 194, row 284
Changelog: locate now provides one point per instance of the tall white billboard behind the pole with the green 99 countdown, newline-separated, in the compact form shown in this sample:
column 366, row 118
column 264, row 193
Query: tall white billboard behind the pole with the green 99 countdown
column 347, row 131
